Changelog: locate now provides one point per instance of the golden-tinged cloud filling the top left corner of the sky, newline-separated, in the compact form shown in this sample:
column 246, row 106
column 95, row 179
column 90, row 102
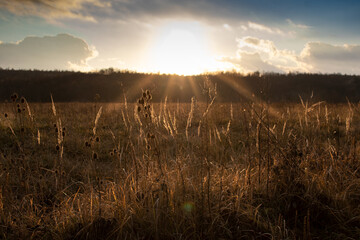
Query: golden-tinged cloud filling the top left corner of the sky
column 50, row 9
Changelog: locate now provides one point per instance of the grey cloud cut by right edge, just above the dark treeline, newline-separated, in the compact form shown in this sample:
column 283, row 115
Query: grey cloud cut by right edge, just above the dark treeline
column 324, row 57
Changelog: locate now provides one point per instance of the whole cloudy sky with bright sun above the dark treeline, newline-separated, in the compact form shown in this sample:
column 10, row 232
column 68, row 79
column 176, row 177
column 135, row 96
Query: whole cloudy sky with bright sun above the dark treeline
column 183, row 37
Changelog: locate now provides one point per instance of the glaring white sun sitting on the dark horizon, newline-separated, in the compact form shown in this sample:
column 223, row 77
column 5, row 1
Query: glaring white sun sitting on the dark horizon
column 181, row 49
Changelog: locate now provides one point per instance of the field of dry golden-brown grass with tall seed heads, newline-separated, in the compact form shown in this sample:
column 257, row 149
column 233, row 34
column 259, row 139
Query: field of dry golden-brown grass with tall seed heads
column 199, row 170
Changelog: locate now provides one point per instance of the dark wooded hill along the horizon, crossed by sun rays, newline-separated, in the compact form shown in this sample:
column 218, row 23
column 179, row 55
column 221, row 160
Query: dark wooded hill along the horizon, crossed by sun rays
column 36, row 86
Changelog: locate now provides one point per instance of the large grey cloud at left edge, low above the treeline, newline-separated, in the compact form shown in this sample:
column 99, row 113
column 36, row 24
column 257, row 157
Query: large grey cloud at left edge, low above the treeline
column 62, row 51
